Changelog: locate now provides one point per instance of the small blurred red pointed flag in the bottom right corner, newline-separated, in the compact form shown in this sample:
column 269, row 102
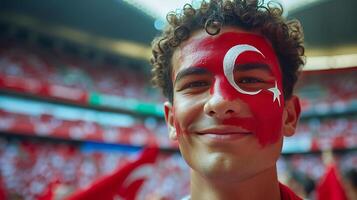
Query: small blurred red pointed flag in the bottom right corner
column 330, row 186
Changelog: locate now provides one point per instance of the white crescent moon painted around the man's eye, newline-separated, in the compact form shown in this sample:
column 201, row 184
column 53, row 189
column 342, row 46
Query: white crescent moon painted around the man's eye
column 229, row 62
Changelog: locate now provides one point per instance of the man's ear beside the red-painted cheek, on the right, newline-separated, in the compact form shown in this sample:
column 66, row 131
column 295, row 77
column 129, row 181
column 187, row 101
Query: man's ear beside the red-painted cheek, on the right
column 291, row 115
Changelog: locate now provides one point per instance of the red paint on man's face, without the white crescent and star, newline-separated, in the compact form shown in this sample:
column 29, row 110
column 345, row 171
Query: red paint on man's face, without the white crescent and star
column 266, row 107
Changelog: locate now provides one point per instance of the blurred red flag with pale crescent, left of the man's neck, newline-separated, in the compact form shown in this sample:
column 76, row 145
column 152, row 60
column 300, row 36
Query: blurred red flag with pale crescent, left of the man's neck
column 124, row 183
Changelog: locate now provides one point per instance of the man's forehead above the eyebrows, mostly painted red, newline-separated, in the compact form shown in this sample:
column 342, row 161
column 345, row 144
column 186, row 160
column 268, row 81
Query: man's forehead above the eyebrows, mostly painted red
column 204, row 48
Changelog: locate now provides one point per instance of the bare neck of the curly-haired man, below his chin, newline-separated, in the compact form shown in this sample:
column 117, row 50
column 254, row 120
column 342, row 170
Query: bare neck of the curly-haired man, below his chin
column 264, row 185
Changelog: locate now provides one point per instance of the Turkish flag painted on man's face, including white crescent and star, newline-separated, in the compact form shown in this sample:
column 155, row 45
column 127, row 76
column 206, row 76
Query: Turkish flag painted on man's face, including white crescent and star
column 245, row 67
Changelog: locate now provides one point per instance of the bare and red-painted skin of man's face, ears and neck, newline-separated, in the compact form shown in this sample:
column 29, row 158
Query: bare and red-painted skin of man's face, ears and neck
column 219, row 130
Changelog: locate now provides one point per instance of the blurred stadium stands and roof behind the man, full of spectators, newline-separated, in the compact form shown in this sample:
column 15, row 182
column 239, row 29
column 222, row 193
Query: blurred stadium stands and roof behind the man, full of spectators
column 76, row 102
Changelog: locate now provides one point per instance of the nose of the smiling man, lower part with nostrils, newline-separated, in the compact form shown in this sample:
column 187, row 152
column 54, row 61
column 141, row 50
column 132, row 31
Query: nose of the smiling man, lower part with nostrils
column 219, row 107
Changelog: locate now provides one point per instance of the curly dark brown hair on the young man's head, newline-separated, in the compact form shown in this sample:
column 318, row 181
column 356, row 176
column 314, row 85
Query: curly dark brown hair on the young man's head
column 285, row 36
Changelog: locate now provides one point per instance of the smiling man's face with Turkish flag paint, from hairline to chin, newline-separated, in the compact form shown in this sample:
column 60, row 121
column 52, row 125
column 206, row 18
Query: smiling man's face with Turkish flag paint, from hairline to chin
column 228, row 106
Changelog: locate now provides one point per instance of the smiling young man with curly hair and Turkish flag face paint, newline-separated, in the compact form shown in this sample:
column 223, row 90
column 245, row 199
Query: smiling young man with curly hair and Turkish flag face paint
column 228, row 70
